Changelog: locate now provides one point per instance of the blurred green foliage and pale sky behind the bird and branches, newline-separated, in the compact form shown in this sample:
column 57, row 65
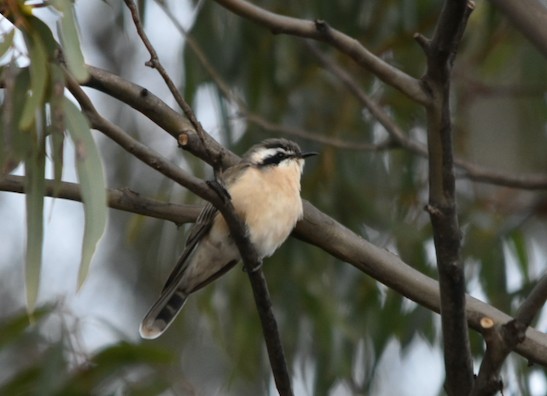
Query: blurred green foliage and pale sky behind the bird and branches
column 343, row 332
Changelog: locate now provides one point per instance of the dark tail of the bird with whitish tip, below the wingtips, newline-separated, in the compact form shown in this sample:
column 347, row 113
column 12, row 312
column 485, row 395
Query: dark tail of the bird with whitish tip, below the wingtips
column 162, row 313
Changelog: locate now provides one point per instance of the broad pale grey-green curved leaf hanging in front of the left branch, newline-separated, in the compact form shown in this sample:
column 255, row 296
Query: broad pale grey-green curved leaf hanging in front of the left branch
column 92, row 184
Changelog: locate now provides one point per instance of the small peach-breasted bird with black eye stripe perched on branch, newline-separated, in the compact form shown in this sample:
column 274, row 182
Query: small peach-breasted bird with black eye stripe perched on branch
column 264, row 188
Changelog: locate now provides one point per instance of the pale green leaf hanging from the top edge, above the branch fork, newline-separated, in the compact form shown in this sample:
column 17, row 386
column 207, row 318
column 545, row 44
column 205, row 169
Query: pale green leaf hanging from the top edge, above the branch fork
column 68, row 32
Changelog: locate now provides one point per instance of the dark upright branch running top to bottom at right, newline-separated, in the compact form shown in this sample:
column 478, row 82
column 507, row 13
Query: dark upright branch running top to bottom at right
column 440, row 52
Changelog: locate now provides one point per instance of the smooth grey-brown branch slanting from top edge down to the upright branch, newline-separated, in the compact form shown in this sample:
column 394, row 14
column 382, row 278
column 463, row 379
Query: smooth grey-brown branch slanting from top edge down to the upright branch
column 319, row 30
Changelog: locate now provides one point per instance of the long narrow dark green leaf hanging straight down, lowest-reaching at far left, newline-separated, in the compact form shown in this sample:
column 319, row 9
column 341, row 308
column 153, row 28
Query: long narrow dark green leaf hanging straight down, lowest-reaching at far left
column 34, row 197
